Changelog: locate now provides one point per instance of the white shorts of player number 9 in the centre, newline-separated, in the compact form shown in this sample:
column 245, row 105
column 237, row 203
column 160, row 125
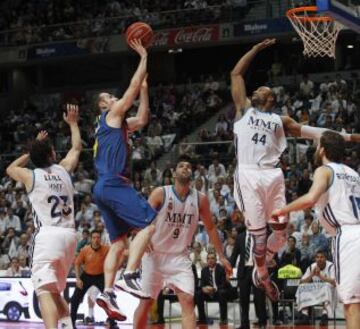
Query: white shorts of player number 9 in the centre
column 166, row 270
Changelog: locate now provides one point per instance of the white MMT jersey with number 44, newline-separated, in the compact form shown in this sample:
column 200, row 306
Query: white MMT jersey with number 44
column 259, row 139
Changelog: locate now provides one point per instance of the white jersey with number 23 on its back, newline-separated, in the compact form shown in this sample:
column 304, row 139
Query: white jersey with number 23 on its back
column 52, row 197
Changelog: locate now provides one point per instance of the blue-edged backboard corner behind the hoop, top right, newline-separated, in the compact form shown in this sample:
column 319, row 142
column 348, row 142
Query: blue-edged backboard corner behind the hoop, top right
column 346, row 12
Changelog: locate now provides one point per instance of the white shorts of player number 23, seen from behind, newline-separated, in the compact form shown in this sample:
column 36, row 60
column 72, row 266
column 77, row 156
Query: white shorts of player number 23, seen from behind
column 53, row 255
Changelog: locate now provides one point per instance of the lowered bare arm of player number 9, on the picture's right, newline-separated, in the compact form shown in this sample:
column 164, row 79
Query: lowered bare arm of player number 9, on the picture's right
column 205, row 215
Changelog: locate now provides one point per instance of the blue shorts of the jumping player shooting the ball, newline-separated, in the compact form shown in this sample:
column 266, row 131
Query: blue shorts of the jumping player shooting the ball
column 122, row 208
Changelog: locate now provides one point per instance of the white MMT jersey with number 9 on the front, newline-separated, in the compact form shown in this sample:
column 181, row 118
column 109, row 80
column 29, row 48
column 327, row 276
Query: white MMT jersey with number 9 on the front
column 176, row 222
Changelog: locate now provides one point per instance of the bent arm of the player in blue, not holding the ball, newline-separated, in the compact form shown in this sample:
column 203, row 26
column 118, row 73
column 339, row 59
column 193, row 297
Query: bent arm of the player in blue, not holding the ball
column 142, row 117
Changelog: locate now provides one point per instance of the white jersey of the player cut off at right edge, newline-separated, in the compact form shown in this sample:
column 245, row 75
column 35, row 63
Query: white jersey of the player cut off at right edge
column 340, row 204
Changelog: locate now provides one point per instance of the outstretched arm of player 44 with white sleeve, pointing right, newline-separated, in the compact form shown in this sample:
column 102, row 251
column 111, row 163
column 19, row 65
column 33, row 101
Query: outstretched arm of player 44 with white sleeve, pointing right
column 296, row 129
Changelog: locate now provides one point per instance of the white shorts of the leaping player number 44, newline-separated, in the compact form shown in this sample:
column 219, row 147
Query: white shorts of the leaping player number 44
column 257, row 193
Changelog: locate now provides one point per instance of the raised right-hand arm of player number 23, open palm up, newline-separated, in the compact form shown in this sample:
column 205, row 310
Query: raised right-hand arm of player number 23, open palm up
column 72, row 157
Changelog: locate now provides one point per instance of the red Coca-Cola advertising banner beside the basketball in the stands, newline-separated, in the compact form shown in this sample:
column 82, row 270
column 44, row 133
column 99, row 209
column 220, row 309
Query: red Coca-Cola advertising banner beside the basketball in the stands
column 186, row 35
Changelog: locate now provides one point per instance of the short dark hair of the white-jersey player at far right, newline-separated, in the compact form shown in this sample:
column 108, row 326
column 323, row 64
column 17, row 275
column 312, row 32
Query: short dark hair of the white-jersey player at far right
column 334, row 145
